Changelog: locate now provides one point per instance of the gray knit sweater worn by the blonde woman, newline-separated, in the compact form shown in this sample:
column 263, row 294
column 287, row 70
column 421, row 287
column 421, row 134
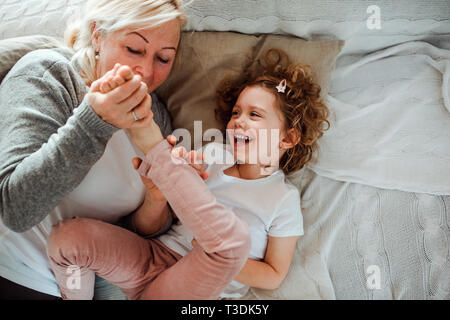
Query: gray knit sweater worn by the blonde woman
column 50, row 136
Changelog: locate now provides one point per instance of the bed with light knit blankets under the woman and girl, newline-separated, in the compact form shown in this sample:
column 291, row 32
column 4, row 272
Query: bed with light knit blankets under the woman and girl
column 376, row 203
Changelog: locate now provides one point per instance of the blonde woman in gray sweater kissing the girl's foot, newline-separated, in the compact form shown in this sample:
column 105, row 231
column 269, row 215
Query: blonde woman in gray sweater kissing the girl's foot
column 62, row 151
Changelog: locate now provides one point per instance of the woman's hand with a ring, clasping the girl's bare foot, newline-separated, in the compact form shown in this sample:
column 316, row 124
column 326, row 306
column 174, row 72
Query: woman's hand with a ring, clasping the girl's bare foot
column 113, row 98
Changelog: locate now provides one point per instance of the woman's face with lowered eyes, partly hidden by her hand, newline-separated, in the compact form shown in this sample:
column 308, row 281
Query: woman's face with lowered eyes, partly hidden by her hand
column 149, row 52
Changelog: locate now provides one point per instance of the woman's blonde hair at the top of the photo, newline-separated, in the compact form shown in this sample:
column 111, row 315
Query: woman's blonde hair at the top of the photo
column 112, row 15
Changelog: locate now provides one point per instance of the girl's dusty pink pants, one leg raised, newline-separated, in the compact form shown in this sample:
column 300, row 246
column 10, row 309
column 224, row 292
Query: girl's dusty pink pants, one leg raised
column 146, row 269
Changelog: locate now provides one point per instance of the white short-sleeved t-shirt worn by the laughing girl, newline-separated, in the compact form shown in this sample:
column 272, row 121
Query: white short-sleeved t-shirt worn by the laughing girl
column 270, row 206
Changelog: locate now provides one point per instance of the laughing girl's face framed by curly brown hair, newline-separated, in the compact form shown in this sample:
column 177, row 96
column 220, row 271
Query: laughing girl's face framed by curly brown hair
column 256, row 127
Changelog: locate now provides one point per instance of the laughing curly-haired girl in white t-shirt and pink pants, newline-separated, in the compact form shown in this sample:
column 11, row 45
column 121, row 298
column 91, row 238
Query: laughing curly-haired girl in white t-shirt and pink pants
column 241, row 224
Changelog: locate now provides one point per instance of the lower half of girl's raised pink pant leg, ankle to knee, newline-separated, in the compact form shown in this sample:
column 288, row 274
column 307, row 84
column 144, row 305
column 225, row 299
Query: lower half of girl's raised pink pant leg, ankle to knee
column 214, row 227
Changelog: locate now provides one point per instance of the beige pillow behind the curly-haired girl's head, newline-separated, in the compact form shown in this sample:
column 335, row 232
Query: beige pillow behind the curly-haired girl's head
column 206, row 57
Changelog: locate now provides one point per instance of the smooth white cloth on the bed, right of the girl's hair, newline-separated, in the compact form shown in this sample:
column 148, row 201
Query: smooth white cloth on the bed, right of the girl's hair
column 392, row 120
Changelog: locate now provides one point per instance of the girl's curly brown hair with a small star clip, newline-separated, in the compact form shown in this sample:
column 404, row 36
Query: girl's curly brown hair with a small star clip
column 300, row 105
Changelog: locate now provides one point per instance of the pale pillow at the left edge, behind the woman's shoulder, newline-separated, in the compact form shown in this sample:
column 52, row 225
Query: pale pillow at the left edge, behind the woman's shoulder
column 11, row 50
